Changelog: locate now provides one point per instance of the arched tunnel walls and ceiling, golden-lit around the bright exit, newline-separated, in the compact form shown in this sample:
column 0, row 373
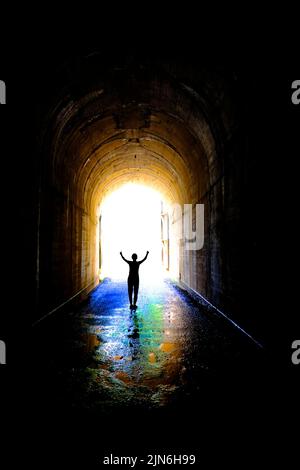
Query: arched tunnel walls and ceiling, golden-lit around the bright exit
column 160, row 125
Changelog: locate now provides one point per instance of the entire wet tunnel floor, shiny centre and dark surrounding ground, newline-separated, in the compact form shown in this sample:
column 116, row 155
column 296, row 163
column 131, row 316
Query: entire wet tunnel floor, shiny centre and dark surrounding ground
column 171, row 375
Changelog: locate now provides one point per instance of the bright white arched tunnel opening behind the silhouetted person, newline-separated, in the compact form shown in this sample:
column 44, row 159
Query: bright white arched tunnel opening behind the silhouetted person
column 131, row 223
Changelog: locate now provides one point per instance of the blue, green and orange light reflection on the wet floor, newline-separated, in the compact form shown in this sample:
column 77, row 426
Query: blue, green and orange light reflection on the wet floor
column 137, row 352
